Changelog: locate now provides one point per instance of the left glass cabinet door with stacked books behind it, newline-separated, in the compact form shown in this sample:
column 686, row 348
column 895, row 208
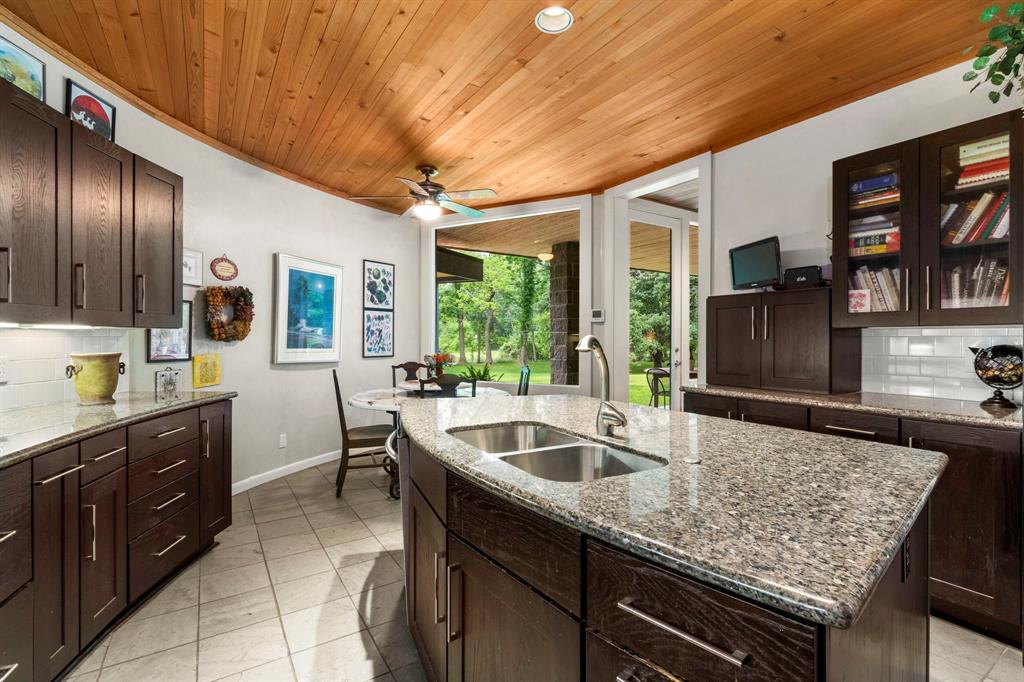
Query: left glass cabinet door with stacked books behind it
column 875, row 264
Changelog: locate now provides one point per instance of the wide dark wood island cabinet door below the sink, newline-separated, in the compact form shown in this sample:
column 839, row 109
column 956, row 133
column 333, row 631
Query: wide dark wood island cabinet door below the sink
column 499, row 629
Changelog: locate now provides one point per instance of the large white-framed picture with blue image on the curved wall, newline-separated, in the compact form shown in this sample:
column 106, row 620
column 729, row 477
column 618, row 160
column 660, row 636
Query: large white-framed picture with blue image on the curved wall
column 307, row 311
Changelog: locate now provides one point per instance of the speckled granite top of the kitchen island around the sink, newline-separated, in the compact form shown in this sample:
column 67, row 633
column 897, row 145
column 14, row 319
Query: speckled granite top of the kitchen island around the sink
column 802, row 522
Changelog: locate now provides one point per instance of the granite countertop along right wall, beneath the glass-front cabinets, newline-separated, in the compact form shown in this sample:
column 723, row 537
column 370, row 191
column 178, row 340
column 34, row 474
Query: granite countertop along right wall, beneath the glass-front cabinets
column 968, row 413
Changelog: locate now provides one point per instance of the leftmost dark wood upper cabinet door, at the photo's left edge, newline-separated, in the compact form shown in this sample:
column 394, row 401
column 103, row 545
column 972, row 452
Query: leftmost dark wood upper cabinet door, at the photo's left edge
column 35, row 210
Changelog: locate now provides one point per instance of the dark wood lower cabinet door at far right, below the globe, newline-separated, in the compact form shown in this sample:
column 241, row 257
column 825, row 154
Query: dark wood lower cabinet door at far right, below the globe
column 975, row 525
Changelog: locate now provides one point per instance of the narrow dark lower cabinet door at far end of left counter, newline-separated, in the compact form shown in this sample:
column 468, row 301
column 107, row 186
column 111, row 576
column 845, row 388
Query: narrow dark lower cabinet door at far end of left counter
column 216, row 470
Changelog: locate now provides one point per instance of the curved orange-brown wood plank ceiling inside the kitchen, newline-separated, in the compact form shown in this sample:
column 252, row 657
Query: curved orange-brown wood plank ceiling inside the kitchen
column 348, row 94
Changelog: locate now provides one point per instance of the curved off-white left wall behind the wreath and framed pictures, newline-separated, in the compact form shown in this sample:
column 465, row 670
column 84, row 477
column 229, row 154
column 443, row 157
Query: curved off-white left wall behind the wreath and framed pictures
column 235, row 208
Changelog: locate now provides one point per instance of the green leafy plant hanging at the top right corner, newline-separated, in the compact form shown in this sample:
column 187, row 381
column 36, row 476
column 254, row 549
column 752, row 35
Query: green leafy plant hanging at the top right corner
column 998, row 62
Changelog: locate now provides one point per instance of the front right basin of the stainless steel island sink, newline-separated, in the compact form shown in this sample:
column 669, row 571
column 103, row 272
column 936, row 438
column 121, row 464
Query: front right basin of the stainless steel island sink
column 580, row 462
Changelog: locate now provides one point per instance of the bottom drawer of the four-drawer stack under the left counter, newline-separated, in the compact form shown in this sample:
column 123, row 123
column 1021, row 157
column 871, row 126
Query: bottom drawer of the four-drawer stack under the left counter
column 156, row 555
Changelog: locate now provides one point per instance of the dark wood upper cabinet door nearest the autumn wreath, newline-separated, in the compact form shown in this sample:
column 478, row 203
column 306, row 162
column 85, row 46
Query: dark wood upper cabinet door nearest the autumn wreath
column 158, row 246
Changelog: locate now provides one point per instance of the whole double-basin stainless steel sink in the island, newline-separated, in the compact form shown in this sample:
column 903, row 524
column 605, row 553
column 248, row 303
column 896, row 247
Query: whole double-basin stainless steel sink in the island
column 548, row 453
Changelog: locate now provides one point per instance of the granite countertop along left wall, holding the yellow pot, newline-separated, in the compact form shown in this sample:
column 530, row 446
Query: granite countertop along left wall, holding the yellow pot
column 26, row 433
